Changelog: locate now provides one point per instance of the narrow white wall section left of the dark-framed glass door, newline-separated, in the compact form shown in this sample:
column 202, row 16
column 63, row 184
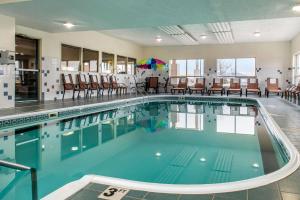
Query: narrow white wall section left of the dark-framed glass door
column 7, row 72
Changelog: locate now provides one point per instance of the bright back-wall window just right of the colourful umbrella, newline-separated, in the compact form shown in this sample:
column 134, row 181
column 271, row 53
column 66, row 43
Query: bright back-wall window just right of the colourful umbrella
column 192, row 67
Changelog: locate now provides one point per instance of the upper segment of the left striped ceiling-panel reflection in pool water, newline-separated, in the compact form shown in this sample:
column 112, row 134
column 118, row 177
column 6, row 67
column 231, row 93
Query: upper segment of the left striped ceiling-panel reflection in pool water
column 184, row 157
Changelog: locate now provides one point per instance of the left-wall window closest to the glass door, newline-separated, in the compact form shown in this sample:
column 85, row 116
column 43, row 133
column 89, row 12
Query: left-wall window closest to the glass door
column 70, row 58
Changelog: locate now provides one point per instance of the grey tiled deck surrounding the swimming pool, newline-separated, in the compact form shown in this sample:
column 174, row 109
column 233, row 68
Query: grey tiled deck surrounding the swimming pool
column 287, row 116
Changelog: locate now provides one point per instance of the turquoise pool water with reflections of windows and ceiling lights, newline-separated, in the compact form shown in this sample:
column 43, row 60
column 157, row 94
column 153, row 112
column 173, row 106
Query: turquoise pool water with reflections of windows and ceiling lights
column 160, row 142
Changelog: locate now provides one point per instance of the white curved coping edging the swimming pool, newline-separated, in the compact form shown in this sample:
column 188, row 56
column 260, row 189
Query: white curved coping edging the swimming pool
column 293, row 164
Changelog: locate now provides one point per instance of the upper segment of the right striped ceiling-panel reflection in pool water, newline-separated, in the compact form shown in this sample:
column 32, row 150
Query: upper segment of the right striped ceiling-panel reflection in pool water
column 223, row 162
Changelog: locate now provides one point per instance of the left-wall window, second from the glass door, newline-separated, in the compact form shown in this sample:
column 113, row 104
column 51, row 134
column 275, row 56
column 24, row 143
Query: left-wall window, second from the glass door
column 90, row 60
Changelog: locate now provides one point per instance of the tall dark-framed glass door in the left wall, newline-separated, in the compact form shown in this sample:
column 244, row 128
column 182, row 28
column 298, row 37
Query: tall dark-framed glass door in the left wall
column 27, row 70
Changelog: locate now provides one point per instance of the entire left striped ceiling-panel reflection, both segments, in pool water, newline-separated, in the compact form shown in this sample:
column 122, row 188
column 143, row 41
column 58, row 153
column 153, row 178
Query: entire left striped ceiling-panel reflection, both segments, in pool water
column 173, row 171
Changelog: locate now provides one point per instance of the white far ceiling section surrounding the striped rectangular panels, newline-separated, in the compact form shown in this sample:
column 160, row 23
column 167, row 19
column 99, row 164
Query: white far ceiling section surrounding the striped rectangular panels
column 242, row 32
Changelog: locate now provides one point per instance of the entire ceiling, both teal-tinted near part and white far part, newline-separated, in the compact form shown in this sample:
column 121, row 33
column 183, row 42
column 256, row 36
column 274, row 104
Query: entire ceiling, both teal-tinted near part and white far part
column 141, row 21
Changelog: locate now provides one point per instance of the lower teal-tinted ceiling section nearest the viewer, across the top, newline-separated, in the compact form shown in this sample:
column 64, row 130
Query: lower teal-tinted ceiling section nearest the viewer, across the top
column 48, row 15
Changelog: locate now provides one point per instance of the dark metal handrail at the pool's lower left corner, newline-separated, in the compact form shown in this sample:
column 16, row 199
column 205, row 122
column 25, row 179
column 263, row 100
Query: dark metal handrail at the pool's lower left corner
column 24, row 168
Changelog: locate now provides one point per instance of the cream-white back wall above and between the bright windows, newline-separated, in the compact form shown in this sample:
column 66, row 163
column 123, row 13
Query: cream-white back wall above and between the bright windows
column 273, row 58
